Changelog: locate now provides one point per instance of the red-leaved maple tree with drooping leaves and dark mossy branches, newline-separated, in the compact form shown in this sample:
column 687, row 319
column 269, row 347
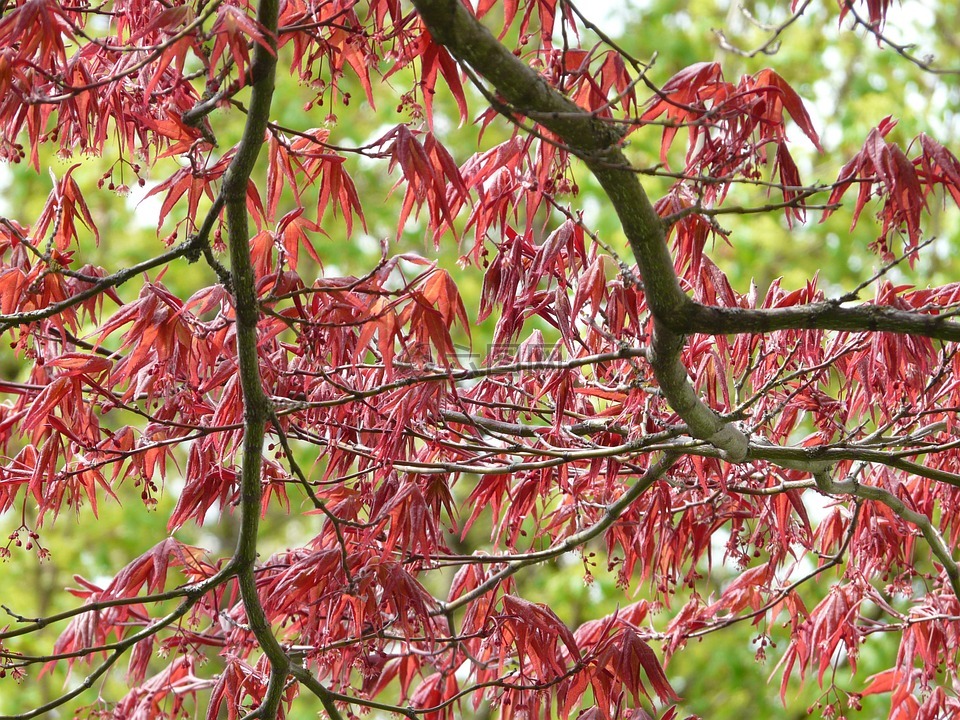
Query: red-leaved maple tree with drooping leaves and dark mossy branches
column 633, row 411
